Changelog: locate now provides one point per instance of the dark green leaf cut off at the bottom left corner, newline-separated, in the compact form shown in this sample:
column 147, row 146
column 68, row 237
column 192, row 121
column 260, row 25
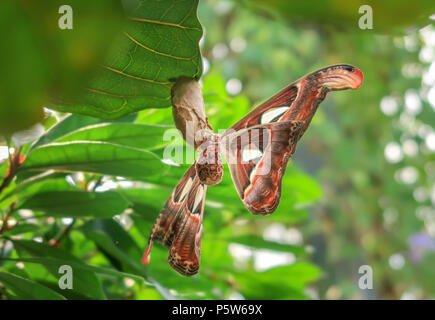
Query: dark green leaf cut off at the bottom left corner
column 27, row 289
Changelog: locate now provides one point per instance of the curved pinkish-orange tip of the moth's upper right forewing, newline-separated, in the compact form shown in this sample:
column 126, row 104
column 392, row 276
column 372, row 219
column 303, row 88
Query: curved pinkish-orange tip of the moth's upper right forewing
column 338, row 77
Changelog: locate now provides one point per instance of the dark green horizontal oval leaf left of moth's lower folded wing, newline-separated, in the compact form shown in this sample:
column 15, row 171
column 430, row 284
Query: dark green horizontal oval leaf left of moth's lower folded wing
column 77, row 203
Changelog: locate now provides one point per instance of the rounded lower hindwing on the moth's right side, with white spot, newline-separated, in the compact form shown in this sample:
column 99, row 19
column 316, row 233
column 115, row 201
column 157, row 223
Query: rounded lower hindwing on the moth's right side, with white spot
column 257, row 158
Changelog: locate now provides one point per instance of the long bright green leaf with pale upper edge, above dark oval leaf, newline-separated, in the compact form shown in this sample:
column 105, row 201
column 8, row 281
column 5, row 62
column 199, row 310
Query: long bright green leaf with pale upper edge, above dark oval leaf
column 96, row 157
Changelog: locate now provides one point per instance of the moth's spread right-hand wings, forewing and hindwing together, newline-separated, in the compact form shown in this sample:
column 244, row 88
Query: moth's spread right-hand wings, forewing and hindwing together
column 260, row 145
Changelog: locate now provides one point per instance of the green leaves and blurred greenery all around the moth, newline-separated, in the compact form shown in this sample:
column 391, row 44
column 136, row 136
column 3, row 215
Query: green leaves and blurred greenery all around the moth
column 359, row 191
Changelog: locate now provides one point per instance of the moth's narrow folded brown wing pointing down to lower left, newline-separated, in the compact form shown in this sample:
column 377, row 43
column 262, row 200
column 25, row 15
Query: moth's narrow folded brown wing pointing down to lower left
column 179, row 225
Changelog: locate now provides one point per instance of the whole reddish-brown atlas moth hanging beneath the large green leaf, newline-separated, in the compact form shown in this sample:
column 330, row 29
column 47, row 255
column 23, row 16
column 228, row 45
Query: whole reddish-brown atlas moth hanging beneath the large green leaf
column 257, row 149
